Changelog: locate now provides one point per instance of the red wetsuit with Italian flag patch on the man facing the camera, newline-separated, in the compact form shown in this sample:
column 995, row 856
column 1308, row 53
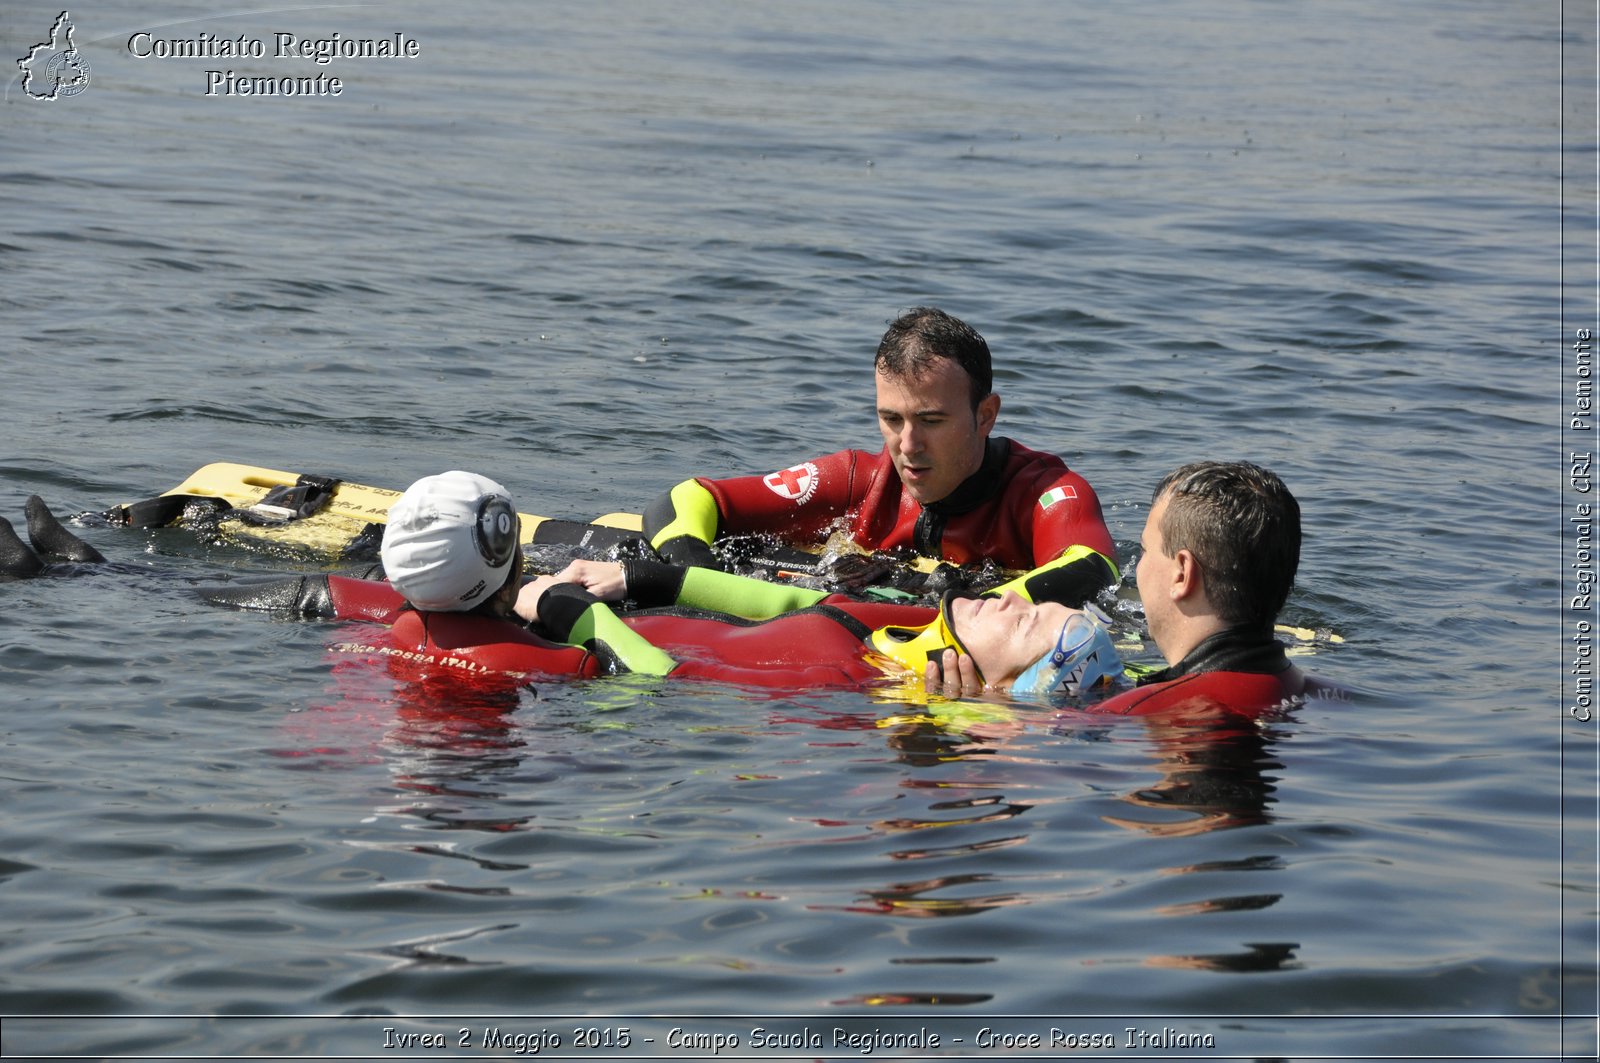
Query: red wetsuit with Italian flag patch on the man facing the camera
column 1022, row 511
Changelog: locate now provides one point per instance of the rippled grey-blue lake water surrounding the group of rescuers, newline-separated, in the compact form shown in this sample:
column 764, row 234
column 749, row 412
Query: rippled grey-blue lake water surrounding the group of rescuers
column 591, row 249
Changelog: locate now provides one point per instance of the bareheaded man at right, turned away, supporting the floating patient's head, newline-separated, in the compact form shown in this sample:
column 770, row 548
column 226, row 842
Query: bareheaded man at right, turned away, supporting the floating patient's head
column 1218, row 558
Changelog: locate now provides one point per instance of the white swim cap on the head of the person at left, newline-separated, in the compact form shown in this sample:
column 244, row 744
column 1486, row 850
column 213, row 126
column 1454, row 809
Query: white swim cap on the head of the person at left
column 450, row 542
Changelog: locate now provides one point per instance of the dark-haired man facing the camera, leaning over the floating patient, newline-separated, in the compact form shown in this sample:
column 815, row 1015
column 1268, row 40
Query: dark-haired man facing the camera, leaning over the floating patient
column 942, row 487
